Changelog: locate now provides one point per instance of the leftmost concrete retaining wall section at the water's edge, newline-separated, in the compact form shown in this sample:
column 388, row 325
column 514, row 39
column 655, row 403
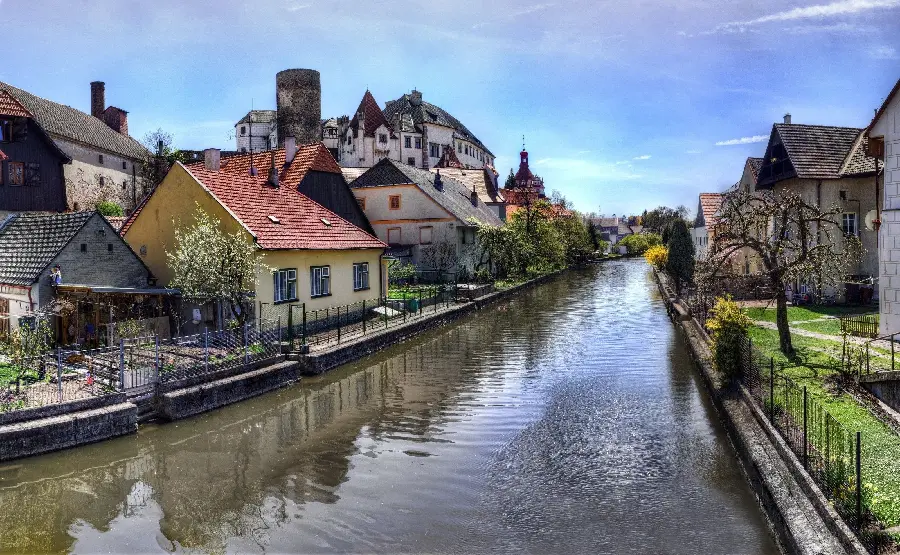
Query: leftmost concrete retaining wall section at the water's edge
column 34, row 437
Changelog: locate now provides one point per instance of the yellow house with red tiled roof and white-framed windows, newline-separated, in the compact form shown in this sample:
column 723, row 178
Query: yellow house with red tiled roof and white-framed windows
column 309, row 253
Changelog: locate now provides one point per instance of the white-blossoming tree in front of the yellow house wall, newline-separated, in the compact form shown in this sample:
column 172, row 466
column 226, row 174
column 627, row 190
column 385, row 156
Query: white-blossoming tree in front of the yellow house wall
column 210, row 264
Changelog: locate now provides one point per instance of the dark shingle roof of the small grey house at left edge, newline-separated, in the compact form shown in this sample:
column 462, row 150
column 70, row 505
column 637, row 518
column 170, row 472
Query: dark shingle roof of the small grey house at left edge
column 30, row 242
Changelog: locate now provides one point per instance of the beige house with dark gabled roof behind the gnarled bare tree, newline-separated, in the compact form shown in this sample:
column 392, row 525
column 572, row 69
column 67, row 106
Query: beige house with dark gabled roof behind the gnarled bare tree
column 828, row 166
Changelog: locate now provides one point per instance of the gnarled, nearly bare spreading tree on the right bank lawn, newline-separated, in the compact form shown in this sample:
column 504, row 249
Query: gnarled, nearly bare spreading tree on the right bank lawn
column 792, row 238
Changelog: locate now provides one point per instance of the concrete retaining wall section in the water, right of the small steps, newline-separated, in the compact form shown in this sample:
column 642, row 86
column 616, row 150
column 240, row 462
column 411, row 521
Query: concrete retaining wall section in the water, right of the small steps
column 186, row 402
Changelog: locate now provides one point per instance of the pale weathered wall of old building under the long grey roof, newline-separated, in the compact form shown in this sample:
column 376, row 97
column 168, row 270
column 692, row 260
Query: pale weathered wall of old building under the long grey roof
column 88, row 181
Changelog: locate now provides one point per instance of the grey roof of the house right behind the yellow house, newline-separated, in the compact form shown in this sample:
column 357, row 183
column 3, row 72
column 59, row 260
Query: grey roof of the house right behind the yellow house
column 455, row 197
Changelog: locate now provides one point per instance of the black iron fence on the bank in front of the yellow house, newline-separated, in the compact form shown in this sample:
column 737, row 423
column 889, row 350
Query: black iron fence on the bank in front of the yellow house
column 315, row 328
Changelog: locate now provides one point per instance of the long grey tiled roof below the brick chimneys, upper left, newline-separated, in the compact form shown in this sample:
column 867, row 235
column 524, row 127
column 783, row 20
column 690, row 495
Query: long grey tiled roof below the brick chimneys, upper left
column 66, row 122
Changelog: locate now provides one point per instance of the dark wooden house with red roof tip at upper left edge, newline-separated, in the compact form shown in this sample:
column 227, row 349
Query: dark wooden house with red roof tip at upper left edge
column 31, row 165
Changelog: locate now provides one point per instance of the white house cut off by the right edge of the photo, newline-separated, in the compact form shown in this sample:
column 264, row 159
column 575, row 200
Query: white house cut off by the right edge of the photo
column 883, row 141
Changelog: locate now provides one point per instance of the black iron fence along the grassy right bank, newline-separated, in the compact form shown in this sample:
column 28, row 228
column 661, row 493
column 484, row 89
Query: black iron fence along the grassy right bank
column 829, row 452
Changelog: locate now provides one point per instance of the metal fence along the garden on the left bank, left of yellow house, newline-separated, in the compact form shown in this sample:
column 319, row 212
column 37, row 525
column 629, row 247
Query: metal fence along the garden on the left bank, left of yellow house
column 135, row 364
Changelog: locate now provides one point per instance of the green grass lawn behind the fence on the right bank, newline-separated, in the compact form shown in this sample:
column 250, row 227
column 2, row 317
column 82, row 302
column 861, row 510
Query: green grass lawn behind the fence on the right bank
column 816, row 359
